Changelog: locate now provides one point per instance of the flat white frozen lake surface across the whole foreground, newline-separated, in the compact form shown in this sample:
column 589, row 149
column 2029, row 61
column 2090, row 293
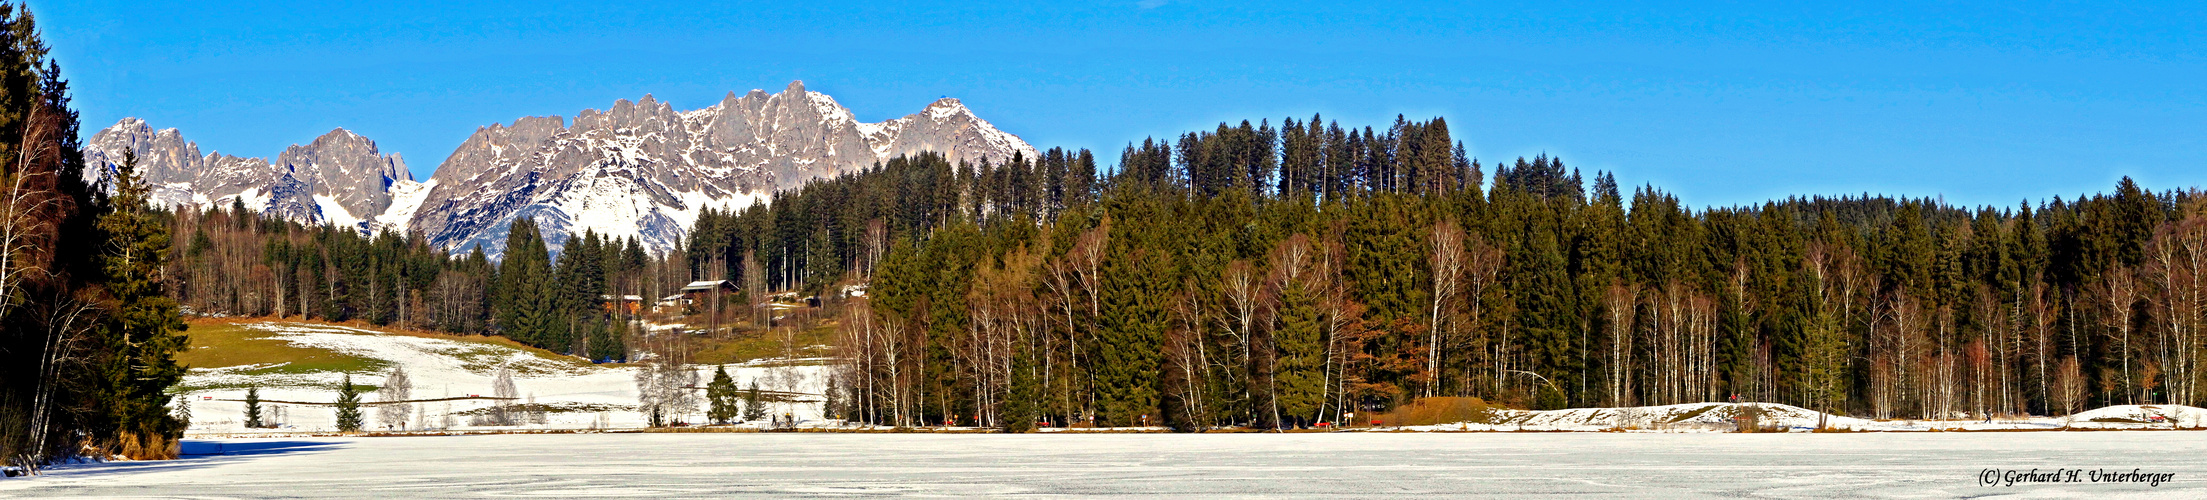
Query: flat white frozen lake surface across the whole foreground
column 1180, row 466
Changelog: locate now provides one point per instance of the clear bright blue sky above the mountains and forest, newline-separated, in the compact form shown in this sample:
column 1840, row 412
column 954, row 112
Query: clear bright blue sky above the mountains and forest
column 1716, row 102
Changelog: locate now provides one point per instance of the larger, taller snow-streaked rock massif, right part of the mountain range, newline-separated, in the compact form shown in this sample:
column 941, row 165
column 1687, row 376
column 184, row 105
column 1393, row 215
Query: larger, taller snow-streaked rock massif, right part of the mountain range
column 648, row 171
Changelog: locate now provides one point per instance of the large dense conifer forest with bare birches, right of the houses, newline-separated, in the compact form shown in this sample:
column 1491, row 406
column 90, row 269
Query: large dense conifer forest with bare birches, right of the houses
column 1301, row 274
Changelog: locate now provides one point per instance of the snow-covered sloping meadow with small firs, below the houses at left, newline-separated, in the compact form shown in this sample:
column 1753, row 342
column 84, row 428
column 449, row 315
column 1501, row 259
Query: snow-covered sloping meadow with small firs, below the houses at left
column 597, row 398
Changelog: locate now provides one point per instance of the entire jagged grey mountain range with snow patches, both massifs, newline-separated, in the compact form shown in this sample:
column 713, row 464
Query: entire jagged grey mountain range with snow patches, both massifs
column 639, row 169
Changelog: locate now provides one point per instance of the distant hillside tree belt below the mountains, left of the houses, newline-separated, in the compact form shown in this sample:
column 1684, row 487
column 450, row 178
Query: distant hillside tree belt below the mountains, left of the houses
column 246, row 263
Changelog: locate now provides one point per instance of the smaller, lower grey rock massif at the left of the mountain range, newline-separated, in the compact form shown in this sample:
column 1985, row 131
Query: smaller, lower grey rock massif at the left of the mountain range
column 330, row 180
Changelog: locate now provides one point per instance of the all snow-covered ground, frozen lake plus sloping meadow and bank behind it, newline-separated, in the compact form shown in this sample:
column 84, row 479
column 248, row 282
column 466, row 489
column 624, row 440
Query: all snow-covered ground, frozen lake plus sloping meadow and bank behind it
column 1590, row 453
